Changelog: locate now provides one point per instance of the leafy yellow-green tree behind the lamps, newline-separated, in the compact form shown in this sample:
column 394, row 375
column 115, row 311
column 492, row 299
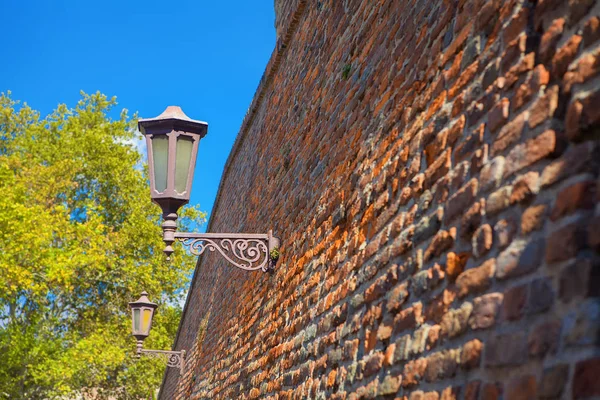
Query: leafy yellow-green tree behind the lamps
column 79, row 239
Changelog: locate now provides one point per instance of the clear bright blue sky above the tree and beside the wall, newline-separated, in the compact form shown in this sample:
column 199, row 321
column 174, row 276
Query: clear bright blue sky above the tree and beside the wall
column 205, row 56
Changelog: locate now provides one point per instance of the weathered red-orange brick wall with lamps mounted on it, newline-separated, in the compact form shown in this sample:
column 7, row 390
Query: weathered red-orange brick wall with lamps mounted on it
column 432, row 168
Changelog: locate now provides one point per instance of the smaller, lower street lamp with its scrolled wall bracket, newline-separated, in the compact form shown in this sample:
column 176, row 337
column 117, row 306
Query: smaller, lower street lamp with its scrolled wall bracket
column 142, row 312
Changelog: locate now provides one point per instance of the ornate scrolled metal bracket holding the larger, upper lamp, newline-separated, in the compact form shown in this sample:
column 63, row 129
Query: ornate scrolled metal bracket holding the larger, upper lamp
column 248, row 251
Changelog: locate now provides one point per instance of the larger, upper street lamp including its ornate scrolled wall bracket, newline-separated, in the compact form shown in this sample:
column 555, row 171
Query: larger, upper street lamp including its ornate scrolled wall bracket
column 172, row 140
